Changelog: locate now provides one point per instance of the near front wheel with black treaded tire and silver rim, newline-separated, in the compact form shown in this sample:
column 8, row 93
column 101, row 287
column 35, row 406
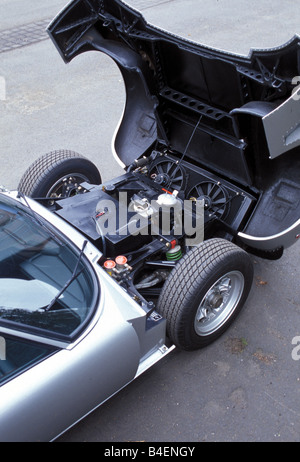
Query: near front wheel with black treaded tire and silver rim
column 205, row 292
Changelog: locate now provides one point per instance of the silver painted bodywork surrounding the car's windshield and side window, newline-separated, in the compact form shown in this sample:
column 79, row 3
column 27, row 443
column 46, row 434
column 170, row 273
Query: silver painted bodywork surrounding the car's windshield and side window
column 50, row 397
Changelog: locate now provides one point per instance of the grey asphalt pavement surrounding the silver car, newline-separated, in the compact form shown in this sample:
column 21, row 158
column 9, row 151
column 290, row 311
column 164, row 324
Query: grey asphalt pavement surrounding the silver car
column 244, row 387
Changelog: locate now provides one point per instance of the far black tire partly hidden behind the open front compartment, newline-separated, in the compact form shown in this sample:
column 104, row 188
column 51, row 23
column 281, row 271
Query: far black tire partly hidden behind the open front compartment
column 58, row 174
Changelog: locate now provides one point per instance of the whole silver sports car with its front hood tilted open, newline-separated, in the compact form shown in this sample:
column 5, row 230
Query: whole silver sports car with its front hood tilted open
column 99, row 281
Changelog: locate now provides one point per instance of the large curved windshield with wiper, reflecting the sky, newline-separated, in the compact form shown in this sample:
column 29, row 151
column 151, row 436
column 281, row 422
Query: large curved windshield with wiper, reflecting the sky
column 46, row 284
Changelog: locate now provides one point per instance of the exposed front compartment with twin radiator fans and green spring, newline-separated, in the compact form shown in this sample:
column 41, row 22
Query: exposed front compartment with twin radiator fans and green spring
column 139, row 220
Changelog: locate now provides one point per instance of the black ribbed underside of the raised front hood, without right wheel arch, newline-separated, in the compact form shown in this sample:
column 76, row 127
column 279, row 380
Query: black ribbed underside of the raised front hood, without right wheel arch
column 174, row 85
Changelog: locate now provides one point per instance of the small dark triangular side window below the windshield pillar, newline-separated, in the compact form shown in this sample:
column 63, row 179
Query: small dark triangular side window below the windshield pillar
column 18, row 354
